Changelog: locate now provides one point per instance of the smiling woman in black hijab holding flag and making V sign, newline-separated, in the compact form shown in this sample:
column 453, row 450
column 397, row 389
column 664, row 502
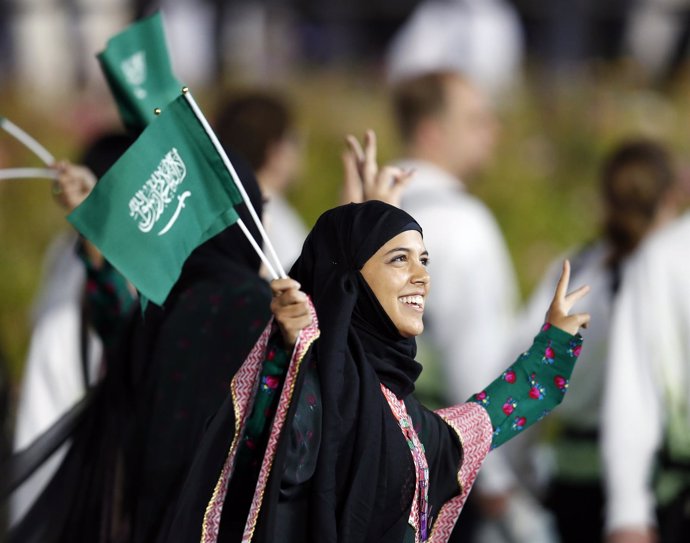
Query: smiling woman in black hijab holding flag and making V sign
column 329, row 443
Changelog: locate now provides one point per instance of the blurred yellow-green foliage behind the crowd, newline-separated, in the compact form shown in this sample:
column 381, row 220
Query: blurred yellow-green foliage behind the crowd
column 541, row 185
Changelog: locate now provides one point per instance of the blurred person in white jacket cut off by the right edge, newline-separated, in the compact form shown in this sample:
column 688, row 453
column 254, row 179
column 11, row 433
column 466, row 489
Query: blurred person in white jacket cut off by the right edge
column 646, row 407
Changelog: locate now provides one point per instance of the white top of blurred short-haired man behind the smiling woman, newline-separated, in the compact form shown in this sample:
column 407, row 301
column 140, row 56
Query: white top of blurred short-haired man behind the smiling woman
column 470, row 309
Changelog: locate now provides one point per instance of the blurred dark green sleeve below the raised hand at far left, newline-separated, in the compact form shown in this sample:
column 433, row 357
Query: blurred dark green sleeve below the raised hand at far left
column 108, row 298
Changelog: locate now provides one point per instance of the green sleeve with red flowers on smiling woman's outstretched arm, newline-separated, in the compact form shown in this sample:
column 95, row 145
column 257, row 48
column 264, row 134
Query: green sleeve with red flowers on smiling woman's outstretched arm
column 530, row 388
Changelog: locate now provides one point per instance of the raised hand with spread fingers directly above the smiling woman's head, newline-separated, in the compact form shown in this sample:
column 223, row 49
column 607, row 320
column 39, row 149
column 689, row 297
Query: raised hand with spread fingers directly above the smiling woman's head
column 364, row 180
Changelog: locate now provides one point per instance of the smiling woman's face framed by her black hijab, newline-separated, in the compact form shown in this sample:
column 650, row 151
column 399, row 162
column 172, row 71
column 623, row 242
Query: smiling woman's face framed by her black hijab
column 397, row 274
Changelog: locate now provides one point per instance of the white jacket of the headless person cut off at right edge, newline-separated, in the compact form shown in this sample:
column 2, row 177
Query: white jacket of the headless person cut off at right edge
column 648, row 371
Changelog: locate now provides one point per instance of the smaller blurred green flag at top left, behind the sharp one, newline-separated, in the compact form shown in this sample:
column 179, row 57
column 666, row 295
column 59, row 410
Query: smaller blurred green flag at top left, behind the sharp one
column 137, row 68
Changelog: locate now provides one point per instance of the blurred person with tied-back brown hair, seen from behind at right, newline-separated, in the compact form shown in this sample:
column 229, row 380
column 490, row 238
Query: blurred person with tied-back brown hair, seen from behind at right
column 639, row 194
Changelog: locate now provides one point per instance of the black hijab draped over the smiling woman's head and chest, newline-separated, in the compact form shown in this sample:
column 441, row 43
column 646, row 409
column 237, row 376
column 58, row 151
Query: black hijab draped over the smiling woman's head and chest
column 355, row 493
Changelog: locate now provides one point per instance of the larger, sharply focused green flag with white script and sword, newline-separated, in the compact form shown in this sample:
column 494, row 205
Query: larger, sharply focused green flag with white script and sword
column 165, row 196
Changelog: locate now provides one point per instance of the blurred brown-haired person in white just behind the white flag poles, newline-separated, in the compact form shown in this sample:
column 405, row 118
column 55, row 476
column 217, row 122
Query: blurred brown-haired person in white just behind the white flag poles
column 259, row 126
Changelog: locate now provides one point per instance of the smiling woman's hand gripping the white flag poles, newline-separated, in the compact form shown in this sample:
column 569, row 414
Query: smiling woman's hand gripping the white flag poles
column 290, row 308
